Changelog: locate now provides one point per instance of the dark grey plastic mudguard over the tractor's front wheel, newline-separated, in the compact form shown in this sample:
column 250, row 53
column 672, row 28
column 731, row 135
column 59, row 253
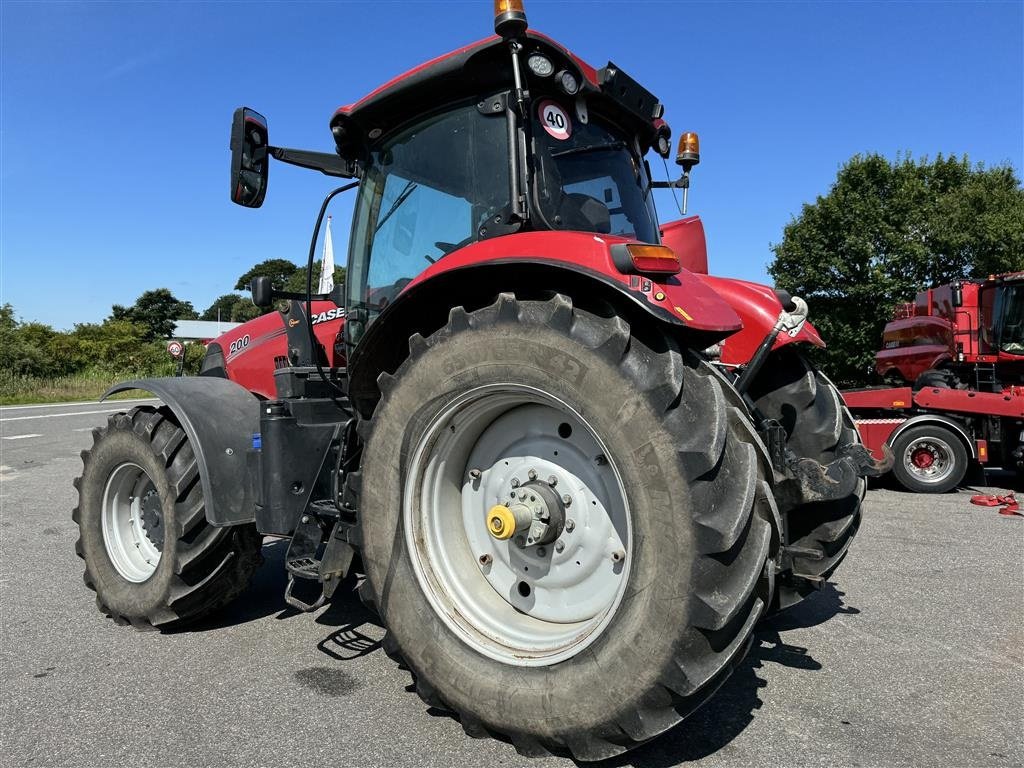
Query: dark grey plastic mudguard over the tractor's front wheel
column 221, row 418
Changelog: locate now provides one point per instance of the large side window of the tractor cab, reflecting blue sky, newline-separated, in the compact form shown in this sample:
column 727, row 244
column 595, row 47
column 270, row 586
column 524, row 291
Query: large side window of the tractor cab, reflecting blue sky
column 425, row 193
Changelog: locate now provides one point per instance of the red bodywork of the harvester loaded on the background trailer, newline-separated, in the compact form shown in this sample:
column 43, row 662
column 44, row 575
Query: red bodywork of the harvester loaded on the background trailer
column 933, row 331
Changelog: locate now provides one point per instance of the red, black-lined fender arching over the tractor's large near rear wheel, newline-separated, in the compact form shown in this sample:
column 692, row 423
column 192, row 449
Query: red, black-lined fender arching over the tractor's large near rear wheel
column 533, row 265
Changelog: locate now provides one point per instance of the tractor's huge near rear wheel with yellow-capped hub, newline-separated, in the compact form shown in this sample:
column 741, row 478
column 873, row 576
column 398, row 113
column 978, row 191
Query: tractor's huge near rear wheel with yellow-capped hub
column 566, row 527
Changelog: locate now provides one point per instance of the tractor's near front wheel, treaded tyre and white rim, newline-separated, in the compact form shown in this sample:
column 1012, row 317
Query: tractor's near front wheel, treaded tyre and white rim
column 150, row 554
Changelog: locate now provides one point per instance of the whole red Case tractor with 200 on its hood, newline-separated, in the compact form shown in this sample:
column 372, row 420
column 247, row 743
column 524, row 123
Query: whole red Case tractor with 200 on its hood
column 575, row 471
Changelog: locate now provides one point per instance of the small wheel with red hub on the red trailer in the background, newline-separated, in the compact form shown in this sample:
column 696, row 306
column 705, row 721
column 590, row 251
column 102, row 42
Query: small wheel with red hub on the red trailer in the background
column 930, row 459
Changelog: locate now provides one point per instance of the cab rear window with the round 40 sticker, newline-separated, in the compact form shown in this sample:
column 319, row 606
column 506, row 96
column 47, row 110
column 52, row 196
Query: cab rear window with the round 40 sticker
column 588, row 179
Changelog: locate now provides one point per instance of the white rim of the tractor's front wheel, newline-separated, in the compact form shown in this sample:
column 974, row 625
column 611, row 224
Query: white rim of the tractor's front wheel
column 133, row 552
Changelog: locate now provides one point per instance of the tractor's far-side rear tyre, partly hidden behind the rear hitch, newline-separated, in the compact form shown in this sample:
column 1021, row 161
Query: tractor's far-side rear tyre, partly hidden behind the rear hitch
column 808, row 406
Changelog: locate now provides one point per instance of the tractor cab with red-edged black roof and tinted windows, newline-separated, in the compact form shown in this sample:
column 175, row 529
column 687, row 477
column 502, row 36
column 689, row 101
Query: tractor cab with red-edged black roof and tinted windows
column 486, row 142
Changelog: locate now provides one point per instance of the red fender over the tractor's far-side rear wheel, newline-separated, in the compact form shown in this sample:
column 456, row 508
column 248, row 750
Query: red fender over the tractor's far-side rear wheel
column 759, row 309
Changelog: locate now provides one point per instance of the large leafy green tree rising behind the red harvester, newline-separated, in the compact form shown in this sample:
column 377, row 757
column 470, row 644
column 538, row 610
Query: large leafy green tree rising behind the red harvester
column 887, row 230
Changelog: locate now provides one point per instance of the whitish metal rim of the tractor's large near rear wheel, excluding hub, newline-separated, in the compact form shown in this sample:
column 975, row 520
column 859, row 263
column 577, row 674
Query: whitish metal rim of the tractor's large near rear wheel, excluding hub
column 474, row 581
